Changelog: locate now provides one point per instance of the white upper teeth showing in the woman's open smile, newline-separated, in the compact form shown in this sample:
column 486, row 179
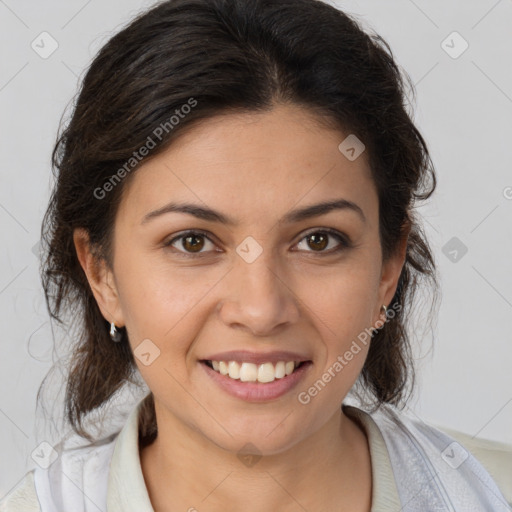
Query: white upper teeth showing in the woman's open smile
column 251, row 372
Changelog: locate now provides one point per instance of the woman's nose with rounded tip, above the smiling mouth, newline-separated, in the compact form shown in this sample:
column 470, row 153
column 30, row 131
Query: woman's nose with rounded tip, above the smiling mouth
column 258, row 299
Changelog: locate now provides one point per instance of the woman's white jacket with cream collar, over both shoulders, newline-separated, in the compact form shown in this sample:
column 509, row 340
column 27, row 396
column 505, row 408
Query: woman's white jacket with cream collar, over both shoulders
column 432, row 472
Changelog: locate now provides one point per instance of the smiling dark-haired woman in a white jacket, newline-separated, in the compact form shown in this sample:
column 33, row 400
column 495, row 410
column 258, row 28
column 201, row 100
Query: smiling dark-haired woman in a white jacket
column 232, row 220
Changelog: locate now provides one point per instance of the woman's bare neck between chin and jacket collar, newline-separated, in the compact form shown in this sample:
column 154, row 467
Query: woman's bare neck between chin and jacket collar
column 329, row 470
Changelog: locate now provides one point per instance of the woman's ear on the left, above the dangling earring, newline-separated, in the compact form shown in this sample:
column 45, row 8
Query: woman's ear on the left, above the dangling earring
column 100, row 278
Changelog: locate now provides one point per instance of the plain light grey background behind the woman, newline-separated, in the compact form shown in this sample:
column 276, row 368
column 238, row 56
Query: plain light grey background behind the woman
column 464, row 110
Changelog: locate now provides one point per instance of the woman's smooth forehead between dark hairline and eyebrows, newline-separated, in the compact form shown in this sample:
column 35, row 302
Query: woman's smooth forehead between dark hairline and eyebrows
column 252, row 164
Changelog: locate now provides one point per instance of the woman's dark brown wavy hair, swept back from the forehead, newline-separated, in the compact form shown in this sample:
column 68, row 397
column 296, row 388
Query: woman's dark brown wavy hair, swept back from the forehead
column 229, row 56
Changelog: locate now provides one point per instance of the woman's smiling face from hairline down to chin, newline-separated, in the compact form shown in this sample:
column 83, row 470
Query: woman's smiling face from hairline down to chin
column 271, row 286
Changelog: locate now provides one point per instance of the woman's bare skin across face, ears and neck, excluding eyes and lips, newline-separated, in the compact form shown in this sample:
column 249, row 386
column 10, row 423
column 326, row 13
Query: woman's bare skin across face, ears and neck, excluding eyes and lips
column 256, row 168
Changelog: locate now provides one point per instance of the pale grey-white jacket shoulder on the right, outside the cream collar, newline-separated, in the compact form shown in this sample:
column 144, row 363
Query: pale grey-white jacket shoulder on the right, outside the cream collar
column 432, row 467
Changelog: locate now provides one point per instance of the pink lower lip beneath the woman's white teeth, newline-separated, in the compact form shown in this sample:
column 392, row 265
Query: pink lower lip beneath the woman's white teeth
column 257, row 391
